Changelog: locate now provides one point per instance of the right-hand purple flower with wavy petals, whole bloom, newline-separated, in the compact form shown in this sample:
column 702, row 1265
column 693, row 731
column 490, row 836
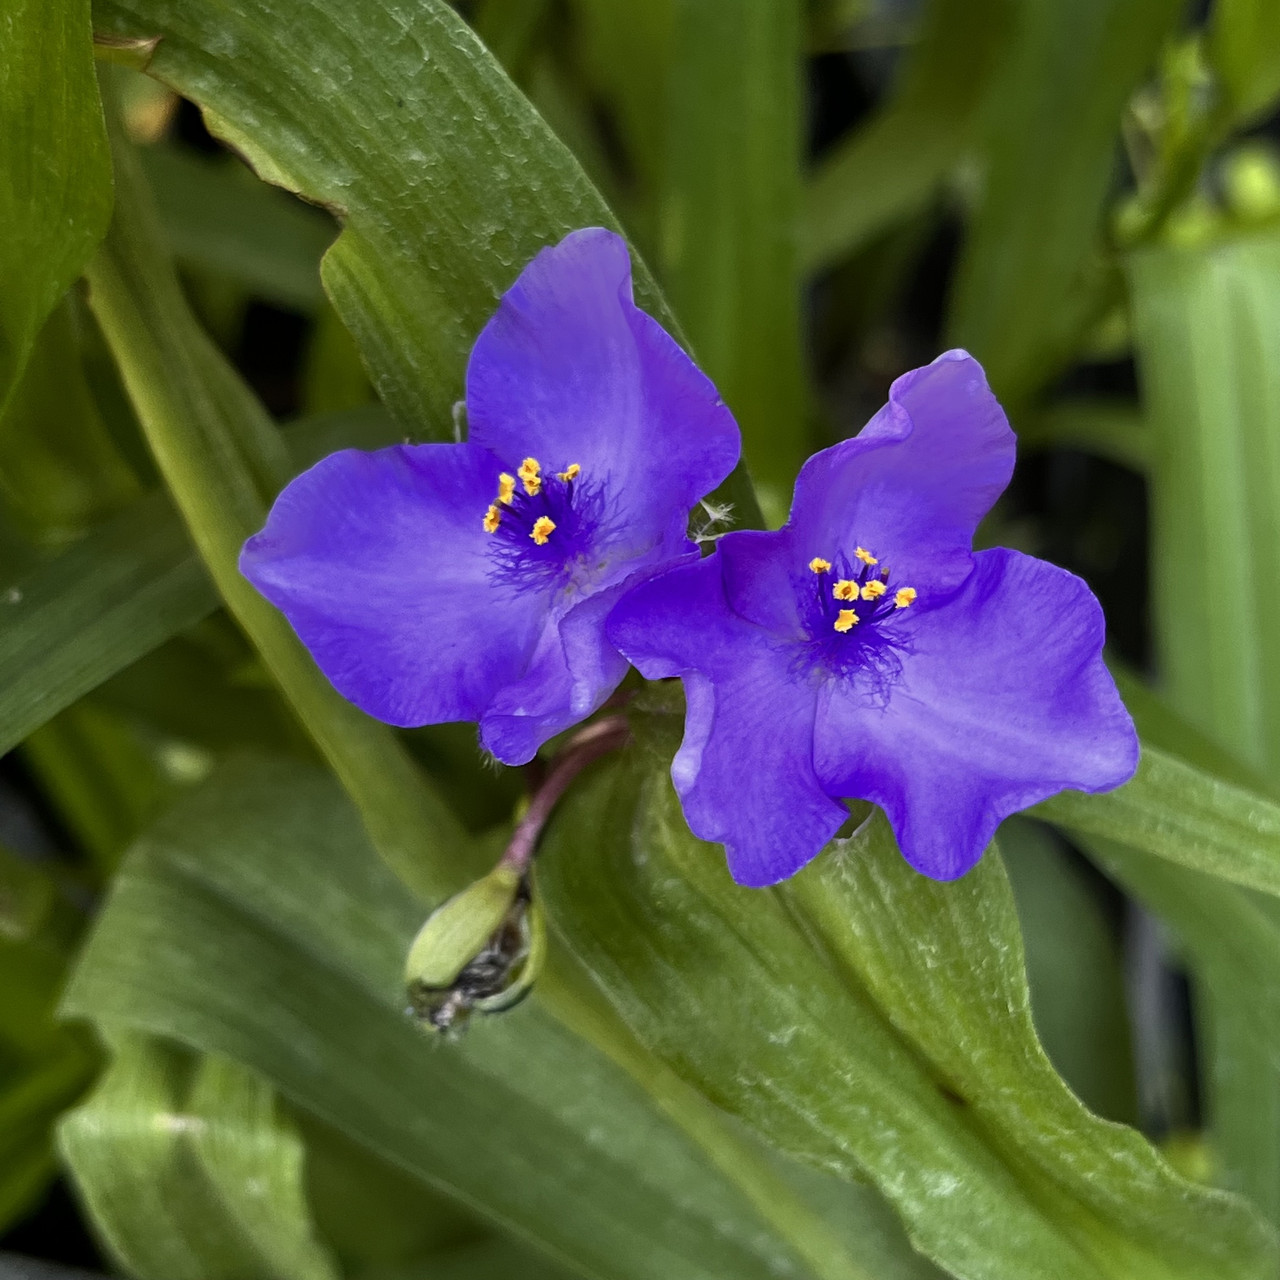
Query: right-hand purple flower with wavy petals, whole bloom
column 866, row 652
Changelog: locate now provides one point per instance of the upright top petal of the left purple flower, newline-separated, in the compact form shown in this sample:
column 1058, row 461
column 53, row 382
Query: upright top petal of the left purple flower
column 570, row 371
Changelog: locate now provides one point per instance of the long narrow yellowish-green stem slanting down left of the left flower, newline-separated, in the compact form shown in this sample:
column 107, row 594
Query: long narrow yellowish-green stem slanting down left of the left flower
column 223, row 461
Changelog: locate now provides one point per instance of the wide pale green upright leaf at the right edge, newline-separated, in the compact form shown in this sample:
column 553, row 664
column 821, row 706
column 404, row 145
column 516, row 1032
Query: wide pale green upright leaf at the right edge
column 1206, row 323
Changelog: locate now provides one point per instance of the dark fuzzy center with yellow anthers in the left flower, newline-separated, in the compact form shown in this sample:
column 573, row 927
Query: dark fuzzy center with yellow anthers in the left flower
column 543, row 524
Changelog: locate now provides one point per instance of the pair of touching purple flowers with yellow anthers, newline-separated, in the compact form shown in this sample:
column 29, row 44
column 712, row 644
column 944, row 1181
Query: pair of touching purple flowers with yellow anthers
column 861, row 652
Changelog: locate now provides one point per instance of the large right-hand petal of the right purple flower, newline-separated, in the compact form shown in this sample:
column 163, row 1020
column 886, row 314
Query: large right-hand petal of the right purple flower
column 1004, row 701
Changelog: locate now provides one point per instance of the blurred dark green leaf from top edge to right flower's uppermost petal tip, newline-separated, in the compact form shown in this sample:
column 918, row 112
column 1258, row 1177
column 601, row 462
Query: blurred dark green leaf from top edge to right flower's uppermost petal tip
column 1027, row 285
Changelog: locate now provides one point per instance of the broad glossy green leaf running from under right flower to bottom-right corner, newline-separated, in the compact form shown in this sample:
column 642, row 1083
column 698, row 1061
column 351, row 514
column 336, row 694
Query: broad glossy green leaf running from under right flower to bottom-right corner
column 888, row 1036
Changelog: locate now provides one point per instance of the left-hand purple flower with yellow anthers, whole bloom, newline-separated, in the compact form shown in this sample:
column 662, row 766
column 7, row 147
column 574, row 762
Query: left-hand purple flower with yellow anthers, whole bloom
column 472, row 582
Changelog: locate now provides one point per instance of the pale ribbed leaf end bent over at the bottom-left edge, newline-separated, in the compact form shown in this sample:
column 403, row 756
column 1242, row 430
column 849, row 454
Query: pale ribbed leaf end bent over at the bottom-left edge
column 189, row 1171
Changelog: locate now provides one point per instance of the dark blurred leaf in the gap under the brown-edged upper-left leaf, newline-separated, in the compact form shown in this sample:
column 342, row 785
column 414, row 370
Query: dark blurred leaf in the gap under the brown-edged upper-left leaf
column 221, row 218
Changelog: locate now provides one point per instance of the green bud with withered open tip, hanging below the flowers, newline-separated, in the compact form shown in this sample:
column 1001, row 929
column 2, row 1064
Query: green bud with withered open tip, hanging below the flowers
column 479, row 952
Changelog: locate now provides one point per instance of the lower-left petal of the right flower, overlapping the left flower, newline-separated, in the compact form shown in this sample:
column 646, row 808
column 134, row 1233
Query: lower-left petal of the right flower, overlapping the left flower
column 744, row 771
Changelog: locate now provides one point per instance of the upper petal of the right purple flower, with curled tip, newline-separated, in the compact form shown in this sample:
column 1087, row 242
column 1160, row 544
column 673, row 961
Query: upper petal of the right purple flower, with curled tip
column 911, row 487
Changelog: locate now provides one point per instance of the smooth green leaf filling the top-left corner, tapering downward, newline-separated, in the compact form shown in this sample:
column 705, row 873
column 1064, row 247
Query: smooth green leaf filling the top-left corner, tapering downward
column 57, row 198
